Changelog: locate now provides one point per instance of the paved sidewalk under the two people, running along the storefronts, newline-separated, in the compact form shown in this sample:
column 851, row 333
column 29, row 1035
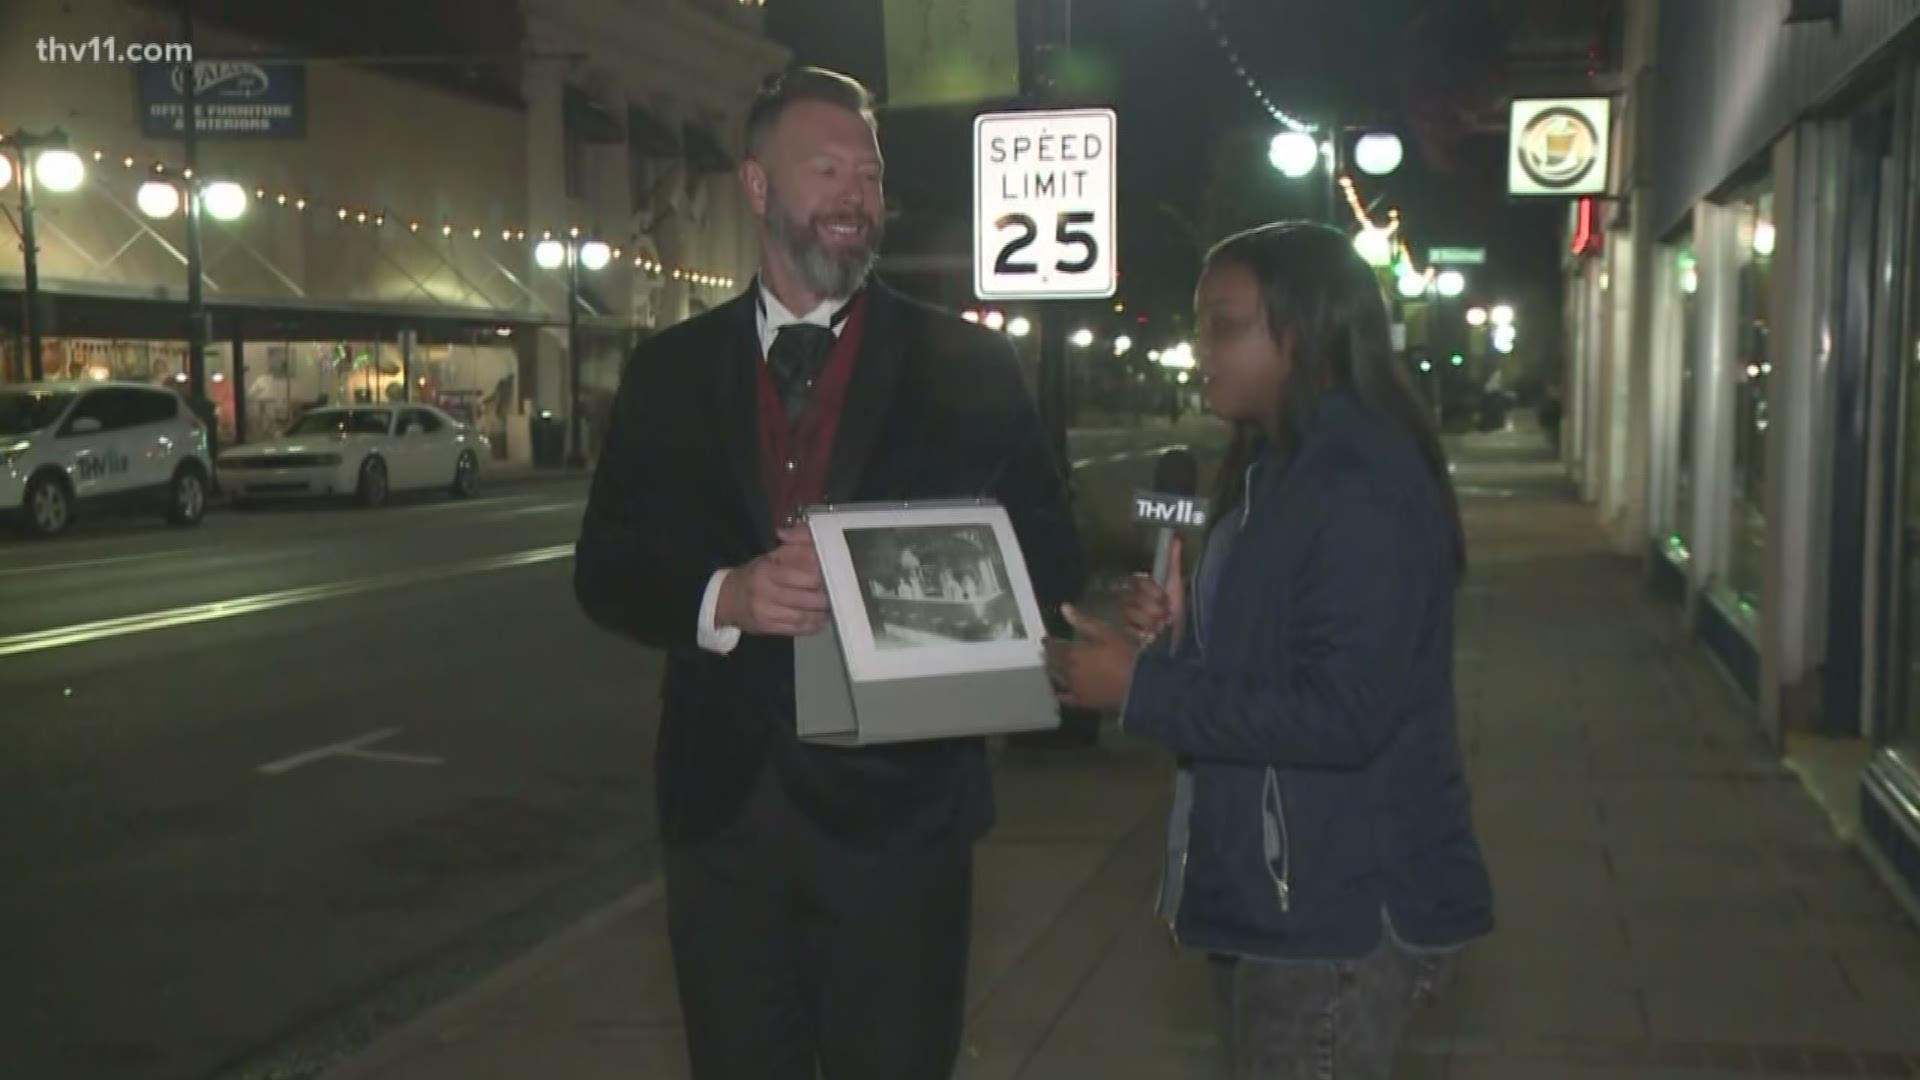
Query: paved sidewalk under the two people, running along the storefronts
column 1671, row 902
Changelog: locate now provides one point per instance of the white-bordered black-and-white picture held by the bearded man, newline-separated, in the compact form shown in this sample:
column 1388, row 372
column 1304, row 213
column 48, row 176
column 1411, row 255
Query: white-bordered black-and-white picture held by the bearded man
column 928, row 591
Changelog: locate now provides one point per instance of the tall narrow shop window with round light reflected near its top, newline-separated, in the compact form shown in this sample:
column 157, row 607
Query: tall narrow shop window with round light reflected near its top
column 1746, row 564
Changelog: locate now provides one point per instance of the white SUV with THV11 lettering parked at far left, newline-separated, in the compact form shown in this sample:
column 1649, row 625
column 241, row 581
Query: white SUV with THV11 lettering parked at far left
column 99, row 445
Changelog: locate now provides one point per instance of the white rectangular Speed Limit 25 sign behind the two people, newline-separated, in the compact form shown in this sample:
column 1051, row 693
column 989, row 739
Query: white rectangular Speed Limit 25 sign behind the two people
column 1044, row 207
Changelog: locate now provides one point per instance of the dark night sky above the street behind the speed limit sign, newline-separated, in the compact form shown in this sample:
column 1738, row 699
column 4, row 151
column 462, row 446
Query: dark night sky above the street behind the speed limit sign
column 1193, row 137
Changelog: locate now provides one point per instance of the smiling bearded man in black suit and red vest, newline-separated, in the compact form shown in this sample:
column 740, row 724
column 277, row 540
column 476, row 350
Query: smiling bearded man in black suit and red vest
column 819, row 898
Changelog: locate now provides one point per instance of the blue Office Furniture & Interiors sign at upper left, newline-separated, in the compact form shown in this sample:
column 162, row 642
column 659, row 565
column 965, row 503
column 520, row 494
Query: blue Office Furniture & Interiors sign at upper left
column 235, row 99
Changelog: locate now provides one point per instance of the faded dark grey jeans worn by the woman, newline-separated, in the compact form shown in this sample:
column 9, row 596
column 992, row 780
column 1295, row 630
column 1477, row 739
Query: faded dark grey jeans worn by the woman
column 1326, row 1019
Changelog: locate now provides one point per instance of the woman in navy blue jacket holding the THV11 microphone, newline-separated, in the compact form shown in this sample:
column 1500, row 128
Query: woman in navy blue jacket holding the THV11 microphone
column 1322, row 847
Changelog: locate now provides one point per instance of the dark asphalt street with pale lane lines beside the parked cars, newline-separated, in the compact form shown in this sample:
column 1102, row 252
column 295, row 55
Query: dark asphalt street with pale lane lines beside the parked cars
column 281, row 781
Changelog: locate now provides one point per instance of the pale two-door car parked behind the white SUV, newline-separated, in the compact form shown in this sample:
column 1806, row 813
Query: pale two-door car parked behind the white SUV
column 368, row 453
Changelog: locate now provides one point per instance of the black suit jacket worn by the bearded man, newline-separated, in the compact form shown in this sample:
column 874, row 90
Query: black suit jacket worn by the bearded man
column 936, row 410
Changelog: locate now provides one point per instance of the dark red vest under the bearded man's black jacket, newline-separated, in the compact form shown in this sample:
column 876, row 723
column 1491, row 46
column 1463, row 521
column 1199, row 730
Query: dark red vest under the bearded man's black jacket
column 794, row 458
